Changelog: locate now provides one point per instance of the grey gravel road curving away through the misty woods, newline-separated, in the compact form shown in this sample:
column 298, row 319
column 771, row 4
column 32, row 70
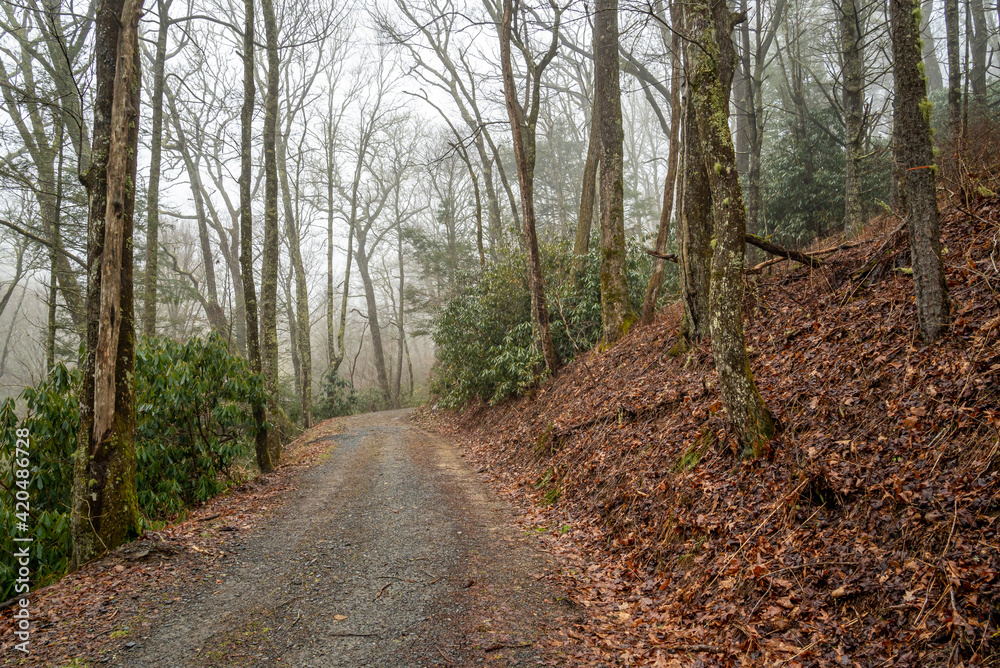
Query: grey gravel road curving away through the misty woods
column 389, row 553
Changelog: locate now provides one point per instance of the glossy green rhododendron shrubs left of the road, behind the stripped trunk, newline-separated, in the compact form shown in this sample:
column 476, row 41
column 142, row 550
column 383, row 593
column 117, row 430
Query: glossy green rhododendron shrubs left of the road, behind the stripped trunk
column 193, row 425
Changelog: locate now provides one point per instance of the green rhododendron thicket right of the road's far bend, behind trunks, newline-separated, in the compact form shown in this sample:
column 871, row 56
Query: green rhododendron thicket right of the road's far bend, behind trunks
column 483, row 337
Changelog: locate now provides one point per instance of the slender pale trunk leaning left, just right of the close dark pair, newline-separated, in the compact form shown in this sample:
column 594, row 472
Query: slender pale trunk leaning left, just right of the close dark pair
column 303, row 340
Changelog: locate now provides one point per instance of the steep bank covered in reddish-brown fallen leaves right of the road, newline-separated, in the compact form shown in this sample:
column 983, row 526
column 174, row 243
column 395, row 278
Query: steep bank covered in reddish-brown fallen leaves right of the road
column 868, row 533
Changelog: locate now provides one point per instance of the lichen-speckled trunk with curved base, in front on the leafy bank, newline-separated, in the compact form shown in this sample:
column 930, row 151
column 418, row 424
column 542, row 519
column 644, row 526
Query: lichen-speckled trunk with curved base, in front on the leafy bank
column 713, row 58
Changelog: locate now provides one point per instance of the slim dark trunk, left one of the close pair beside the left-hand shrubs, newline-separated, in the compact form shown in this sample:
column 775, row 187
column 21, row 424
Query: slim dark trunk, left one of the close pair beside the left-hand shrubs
column 246, row 234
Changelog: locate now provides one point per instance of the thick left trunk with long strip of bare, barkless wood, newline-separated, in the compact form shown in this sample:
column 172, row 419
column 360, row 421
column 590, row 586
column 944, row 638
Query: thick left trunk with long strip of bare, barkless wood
column 105, row 506
